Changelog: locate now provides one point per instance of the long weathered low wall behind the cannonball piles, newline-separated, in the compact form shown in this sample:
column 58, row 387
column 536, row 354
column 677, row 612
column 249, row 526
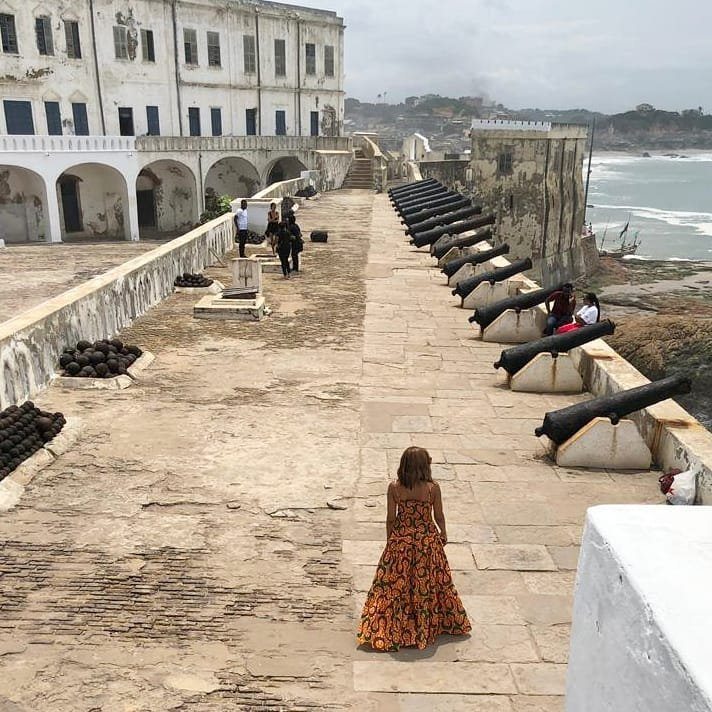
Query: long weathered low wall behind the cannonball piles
column 31, row 343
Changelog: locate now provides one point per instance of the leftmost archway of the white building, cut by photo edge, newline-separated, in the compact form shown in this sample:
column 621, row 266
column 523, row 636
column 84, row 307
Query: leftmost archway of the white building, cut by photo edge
column 23, row 205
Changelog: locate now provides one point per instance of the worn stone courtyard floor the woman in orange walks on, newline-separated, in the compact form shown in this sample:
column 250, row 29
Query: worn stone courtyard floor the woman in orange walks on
column 208, row 543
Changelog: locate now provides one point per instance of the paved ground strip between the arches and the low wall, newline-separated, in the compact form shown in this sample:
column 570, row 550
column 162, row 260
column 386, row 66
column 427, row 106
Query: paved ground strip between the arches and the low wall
column 31, row 274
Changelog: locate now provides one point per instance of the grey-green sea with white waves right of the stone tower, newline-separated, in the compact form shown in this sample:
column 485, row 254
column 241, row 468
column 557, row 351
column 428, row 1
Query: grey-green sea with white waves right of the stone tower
column 668, row 201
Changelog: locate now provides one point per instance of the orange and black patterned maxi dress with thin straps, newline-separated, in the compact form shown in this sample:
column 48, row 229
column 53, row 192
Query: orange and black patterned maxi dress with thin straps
column 412, row 599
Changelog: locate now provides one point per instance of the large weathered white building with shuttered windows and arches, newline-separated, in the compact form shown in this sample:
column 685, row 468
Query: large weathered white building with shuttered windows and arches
column 77, row 75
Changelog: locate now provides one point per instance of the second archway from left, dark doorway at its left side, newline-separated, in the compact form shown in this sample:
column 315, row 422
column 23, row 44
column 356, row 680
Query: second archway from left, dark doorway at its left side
column 93, row 202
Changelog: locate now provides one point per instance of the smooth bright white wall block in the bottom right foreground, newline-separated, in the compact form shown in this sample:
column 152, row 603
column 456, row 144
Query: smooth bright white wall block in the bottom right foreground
column 641, row 639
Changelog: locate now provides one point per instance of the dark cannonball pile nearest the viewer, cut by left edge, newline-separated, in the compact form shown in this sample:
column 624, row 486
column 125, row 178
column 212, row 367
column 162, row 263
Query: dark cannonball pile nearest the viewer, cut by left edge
column 23, row 431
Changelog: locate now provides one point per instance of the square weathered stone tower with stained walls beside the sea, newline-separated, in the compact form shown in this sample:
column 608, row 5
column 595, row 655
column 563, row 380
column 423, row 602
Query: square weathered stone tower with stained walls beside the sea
column 530, row 174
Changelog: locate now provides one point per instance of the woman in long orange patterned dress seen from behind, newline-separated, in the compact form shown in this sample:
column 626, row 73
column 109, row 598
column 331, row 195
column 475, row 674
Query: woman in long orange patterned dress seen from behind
column 412, row 599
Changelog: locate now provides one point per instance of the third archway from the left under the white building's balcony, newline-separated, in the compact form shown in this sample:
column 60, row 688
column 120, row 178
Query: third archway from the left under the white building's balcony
column 166, row 198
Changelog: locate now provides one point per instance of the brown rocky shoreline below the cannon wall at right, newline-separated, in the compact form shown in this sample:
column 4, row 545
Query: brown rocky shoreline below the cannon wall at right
column 663, row 314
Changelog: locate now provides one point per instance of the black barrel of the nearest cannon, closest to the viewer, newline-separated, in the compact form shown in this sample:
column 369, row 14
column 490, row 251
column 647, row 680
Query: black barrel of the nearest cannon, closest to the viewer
column 560, row 425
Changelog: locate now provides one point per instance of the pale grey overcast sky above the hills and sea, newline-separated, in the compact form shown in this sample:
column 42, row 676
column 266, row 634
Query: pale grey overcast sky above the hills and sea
column 605, row 55
